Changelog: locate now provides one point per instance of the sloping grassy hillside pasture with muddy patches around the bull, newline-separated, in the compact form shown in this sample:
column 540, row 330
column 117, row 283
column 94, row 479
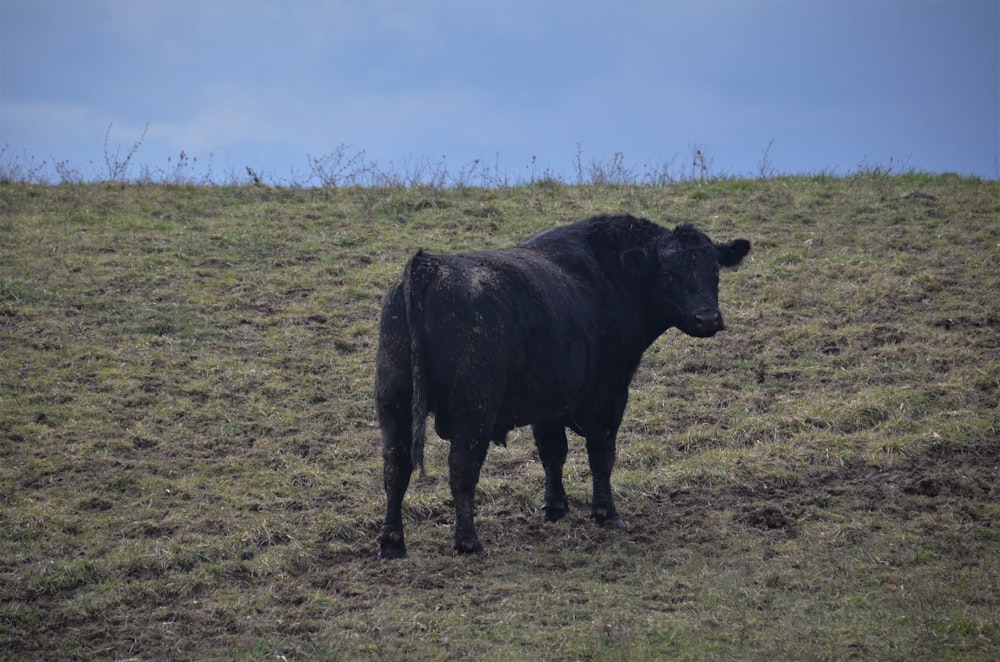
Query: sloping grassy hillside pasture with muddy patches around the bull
column 190, row 468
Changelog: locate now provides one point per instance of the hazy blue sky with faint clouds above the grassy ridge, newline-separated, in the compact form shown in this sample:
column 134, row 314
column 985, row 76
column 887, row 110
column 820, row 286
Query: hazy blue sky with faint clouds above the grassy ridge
column 829, row 84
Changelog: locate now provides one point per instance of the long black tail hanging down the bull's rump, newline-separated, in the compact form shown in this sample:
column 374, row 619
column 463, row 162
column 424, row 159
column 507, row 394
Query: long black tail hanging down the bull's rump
column 419, row 273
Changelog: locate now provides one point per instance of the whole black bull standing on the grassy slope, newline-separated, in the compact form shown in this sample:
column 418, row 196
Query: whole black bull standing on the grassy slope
column 548, row 334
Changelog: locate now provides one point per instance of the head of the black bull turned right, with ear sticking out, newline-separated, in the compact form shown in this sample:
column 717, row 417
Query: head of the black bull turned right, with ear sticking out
column 689, row 264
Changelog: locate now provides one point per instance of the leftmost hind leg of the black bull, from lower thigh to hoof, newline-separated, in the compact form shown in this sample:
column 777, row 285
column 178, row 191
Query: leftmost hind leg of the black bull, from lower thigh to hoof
column 397, row 468
